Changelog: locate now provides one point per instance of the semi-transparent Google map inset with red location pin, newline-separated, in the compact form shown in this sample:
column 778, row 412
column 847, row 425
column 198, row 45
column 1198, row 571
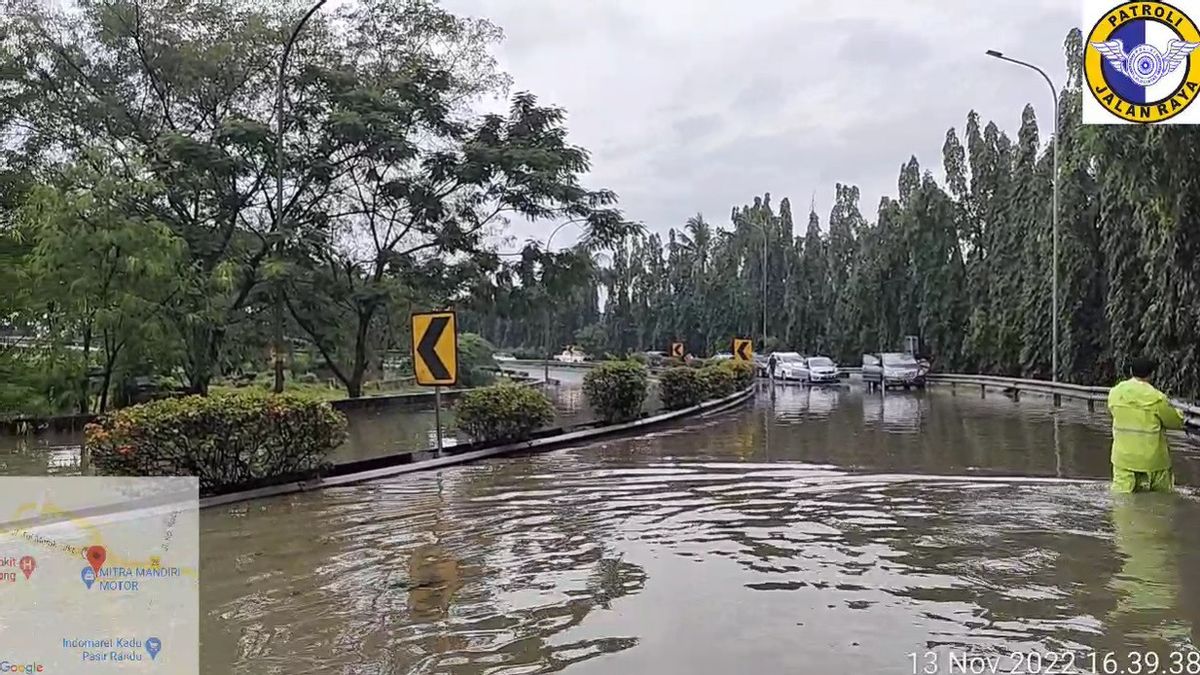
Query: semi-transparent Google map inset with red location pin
column 99, row 576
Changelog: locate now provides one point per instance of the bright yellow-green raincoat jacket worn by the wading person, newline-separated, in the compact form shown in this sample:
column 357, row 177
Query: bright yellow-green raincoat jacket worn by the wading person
column 1141, row 416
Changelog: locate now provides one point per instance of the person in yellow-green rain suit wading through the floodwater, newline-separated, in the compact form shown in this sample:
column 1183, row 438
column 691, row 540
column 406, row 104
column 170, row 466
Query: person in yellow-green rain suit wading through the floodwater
column 1142, row 415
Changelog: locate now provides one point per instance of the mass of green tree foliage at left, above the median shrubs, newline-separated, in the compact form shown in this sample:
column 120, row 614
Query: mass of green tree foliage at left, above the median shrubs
column 394, row 184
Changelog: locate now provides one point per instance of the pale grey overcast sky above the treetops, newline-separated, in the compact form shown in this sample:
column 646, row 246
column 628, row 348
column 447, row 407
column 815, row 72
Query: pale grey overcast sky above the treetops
column 700, row 105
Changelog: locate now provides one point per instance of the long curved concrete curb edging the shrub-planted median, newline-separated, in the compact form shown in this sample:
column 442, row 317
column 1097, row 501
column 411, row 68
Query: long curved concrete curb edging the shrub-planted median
column 537, row 445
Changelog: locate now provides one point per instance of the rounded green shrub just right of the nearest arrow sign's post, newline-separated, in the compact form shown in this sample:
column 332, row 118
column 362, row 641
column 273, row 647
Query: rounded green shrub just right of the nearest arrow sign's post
column 505, row 413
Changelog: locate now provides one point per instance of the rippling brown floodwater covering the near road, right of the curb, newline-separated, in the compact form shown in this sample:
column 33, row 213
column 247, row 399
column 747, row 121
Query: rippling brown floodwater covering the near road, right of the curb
column 820, row 531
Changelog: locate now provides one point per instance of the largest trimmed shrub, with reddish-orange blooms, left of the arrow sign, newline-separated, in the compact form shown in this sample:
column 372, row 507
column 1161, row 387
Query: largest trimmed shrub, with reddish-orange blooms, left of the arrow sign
column 225, row 440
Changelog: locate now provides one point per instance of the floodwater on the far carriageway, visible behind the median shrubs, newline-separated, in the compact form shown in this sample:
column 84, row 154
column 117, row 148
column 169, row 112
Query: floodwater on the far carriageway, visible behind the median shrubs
column 371, row 433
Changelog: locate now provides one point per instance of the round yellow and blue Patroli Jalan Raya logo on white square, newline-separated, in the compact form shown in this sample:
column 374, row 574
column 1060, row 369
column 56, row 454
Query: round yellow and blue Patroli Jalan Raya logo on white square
column 1141, row 64
